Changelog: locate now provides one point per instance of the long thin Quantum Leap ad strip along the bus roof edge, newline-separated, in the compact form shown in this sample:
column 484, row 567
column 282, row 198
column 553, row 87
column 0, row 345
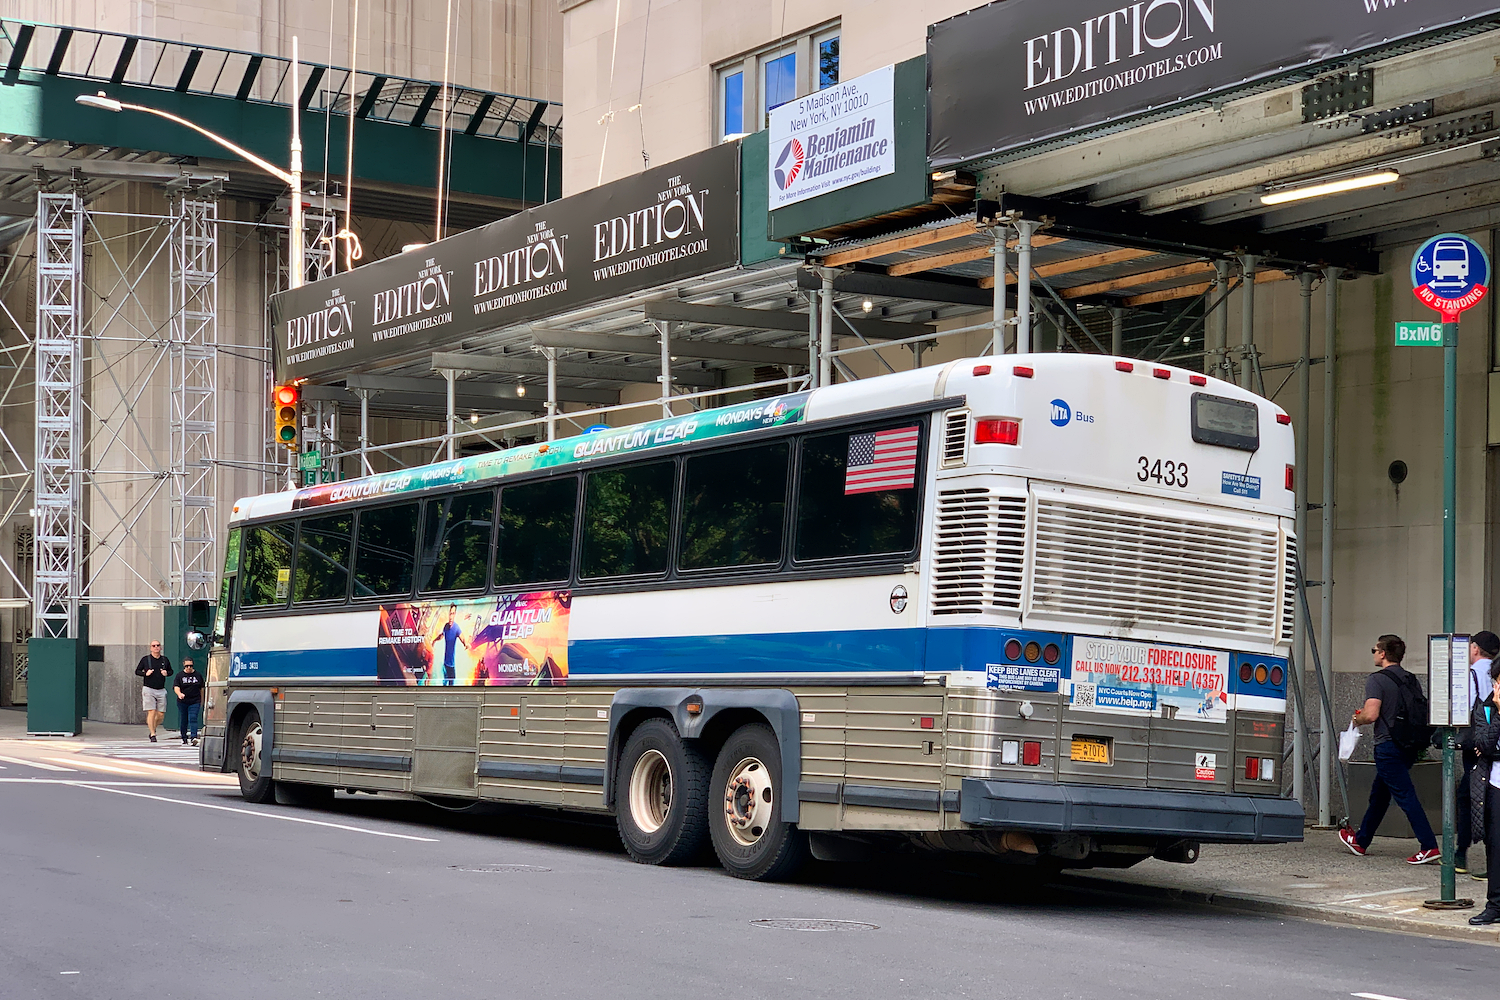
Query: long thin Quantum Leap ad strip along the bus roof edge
column 548, row 455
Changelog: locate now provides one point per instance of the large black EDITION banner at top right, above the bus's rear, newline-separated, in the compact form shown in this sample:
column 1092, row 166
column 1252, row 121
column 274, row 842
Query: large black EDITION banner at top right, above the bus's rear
column 1021, row 71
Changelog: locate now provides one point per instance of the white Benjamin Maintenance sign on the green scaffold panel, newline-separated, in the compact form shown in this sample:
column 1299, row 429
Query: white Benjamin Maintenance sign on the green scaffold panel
column 833, row 139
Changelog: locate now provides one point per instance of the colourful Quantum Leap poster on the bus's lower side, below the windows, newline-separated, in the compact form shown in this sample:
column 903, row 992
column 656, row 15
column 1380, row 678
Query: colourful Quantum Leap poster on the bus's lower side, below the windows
column 518, row 639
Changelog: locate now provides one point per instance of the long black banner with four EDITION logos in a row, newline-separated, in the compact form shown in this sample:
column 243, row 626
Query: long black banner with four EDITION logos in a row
column 662, row 226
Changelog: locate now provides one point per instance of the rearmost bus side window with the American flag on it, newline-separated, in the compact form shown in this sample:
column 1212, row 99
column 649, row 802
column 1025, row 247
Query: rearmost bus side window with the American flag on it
column 857, row 494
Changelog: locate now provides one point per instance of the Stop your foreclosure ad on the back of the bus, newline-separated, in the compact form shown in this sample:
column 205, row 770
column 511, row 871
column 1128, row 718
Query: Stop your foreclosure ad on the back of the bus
column 1138, row 678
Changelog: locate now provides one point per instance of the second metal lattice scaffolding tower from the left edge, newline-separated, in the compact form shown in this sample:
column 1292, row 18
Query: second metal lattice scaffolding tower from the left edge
column 194, row 379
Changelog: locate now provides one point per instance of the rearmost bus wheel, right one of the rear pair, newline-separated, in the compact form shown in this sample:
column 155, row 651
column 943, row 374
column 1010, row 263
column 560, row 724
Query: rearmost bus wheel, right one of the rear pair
column 751, row 839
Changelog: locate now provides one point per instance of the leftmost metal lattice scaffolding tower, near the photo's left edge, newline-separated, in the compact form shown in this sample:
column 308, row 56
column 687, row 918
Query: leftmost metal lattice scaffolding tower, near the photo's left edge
column 58, row 566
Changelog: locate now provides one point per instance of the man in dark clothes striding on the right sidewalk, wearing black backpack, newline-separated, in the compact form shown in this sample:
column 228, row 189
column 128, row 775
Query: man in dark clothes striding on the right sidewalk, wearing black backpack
column 1393, row 764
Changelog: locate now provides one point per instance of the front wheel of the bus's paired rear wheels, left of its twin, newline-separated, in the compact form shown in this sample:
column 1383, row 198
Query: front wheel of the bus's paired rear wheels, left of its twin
column 662, row 797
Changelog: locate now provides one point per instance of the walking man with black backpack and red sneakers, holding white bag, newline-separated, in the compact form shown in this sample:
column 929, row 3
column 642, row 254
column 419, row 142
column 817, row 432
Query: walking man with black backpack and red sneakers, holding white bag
column 1397, row 707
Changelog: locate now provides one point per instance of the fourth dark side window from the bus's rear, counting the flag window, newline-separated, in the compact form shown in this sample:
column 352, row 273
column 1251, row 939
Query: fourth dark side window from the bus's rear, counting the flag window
column 536, row 533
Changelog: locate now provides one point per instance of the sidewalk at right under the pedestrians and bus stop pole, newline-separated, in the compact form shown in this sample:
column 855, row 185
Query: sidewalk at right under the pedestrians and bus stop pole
column 1318, row 879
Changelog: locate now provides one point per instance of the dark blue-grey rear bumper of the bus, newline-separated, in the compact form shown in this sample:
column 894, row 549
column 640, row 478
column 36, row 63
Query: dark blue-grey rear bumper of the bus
column 1079, row 809
